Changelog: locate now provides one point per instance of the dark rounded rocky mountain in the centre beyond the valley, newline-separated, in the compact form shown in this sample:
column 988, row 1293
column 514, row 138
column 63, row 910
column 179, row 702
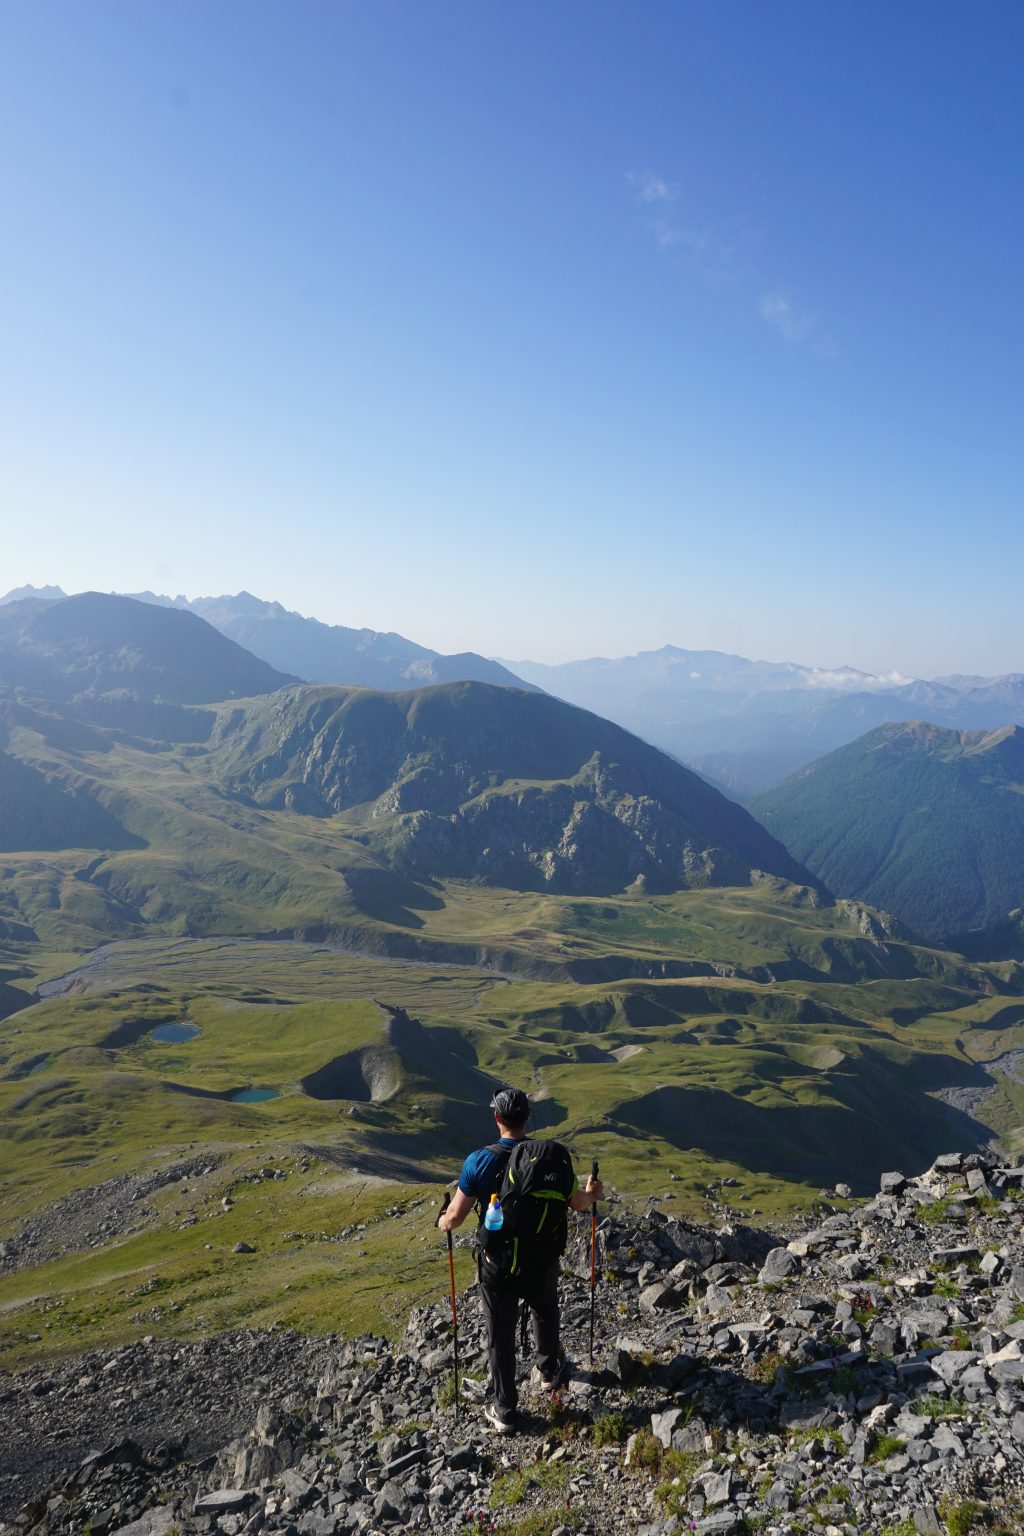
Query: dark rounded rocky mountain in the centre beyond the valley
column 494, row 784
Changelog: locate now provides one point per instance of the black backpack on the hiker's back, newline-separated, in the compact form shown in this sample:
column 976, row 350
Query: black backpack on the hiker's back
column 535, row 1196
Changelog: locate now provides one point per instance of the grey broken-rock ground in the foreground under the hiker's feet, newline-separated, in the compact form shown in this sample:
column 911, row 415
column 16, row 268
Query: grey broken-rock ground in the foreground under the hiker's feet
column 864, row 1374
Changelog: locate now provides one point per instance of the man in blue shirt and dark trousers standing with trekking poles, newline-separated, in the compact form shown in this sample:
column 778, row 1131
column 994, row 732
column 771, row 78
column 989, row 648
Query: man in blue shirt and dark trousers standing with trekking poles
column 527, row 1265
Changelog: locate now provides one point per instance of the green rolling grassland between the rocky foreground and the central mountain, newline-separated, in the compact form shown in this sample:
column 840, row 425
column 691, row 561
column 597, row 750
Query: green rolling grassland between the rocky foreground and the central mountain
column 805, row 1058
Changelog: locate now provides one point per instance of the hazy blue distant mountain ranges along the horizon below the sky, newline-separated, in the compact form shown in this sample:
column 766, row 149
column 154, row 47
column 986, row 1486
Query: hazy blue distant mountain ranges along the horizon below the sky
column 742, row 724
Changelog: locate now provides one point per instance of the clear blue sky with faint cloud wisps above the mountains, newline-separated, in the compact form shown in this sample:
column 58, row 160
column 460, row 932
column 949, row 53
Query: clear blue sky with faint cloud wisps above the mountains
column 540, row 329
